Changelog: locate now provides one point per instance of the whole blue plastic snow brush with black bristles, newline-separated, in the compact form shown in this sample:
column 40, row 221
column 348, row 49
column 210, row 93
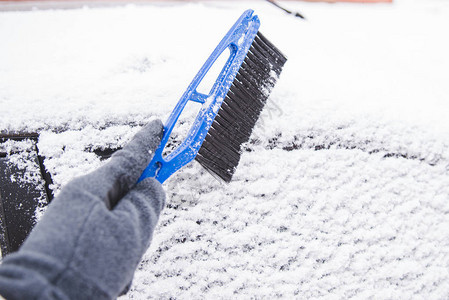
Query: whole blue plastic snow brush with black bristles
column 230, row 110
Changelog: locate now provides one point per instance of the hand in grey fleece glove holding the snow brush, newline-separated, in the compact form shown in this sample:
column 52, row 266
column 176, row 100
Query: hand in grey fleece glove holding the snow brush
column 93, row 235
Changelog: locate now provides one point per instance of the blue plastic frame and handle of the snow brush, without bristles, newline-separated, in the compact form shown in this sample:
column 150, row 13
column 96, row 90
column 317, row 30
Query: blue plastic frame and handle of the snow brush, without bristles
column 238, row 40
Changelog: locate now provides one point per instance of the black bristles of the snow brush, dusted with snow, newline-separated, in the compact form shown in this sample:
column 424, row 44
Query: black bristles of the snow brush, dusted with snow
column 241, row 108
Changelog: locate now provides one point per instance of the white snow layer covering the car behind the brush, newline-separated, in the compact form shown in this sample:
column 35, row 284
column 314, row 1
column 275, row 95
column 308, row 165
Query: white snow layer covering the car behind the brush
column 344, row 189
